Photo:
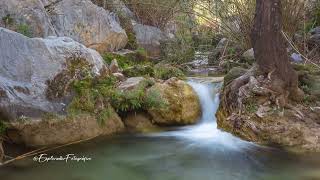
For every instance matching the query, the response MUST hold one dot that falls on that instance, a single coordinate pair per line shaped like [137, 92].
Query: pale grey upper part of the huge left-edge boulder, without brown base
[27, 67]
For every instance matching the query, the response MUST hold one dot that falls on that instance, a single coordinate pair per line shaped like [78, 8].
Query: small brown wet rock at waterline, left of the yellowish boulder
[140, 122]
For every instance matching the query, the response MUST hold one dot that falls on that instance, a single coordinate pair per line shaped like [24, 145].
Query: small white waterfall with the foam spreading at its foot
[206, 132]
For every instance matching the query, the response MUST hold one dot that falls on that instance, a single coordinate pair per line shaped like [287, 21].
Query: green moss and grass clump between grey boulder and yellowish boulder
[99, 96]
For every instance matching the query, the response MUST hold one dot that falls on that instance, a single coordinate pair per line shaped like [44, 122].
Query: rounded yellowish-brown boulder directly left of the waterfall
[183, 105]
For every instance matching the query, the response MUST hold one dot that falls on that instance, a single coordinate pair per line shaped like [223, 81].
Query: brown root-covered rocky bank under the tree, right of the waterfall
[250, 110]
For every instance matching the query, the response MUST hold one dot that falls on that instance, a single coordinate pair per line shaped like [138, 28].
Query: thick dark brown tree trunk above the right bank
[270, 49]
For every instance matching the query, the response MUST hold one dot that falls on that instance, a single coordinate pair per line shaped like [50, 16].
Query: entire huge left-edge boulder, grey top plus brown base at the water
[35, 80]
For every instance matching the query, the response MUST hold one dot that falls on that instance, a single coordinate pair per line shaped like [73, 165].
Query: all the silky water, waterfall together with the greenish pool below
[198, 152]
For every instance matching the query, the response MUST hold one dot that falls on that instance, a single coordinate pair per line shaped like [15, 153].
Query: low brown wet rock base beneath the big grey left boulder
[57, 131]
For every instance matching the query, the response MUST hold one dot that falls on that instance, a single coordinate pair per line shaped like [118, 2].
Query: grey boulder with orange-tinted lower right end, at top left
[89, 24]
